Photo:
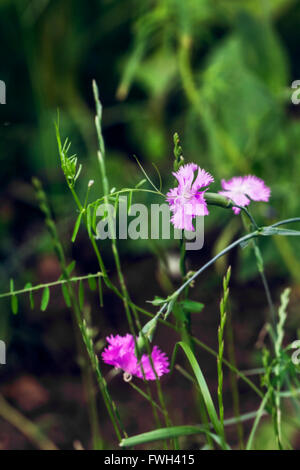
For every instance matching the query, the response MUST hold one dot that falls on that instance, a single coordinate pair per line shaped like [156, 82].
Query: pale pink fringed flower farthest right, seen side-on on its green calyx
[241, 189]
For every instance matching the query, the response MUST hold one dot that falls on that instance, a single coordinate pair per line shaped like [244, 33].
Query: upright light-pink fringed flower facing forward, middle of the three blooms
[186, 201]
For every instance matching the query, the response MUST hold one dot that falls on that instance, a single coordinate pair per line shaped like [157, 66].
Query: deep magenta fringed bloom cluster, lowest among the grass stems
[120, 353]
